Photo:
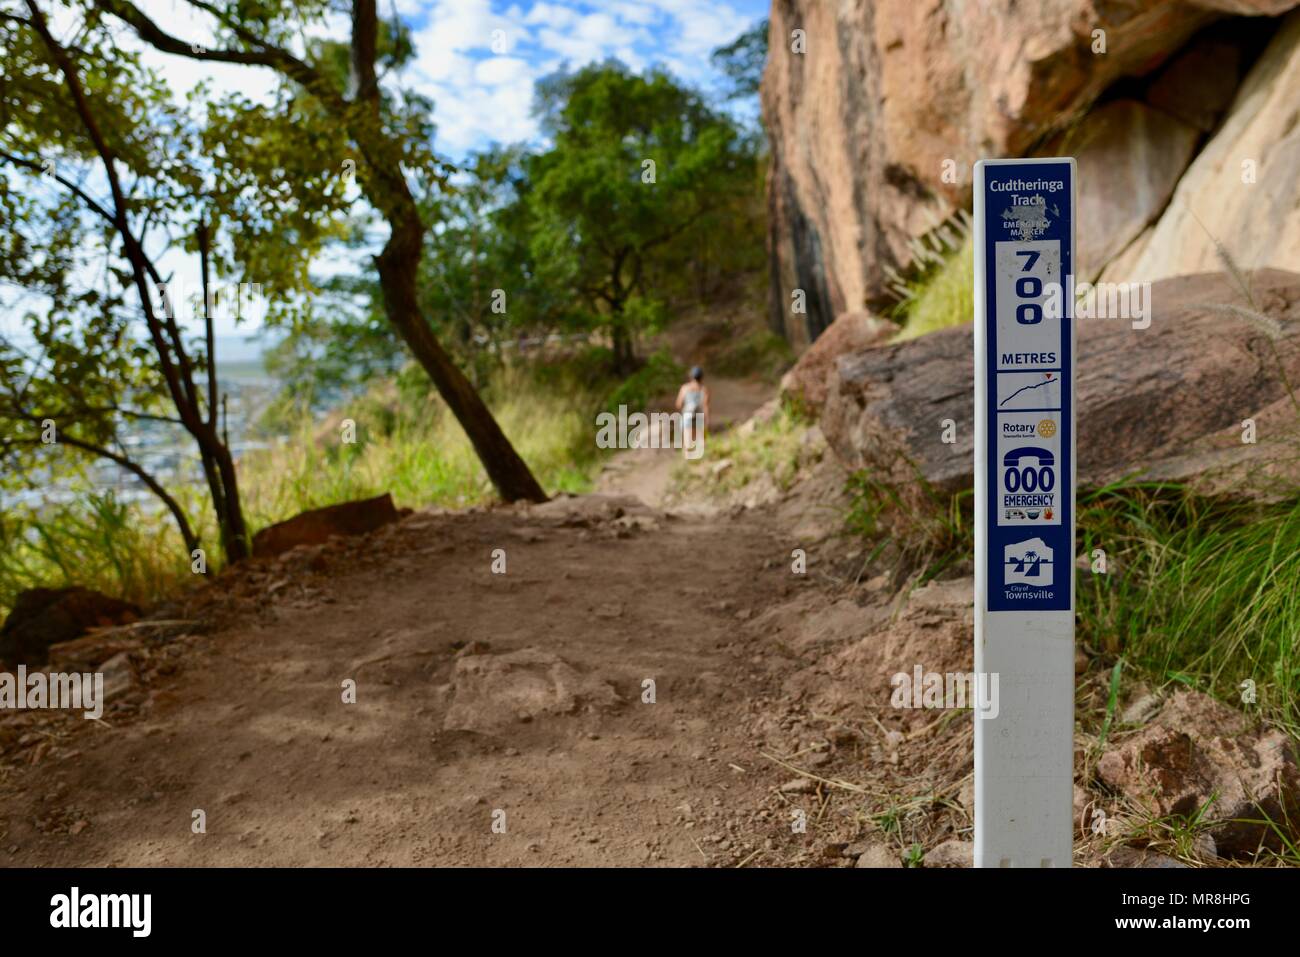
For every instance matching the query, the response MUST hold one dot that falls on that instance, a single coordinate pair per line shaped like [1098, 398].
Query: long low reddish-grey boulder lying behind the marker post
[1165, 402]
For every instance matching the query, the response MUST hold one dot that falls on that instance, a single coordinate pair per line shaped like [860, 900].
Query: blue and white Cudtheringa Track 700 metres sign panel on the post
[1029, 460]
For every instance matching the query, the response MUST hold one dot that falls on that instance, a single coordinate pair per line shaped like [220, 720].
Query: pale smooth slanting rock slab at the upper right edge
[1245, 185]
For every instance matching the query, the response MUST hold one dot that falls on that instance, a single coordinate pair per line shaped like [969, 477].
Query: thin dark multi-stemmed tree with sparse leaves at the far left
[110, 354]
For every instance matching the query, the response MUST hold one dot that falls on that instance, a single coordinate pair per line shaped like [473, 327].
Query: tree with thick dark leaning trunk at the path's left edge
[362, 131]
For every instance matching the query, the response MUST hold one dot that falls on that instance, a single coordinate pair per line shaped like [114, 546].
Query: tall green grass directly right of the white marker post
[1199, 594]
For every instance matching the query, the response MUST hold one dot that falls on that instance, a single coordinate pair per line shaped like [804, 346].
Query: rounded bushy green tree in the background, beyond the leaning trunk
[639, 166]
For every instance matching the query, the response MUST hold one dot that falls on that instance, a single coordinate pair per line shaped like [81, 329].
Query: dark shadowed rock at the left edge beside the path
[45, 617]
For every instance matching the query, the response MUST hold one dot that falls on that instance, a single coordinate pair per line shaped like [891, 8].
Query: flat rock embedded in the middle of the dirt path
[492, 694]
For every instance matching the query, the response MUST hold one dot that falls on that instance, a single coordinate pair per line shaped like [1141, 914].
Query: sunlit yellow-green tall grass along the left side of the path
[408, 444]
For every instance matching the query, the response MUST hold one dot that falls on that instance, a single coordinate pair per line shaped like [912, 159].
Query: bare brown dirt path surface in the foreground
[252, 728]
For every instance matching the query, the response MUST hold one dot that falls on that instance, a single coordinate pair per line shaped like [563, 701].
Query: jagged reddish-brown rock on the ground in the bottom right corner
[1201, 751]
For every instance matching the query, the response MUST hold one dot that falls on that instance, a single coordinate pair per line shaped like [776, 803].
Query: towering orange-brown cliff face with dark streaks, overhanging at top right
[878, 111]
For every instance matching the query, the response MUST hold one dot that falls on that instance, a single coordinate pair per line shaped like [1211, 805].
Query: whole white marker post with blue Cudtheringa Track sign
[1025, 469]
